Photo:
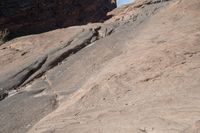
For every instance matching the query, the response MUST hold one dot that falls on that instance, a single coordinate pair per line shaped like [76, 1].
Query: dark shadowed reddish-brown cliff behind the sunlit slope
[22, 17]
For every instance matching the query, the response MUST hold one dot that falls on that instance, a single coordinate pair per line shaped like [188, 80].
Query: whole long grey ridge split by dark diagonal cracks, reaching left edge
[47, 62]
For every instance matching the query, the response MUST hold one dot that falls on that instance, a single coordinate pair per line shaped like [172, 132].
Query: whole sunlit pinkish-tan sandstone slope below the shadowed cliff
[138, 72]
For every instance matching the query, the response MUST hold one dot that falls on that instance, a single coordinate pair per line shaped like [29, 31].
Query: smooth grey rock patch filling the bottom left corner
[23, 110]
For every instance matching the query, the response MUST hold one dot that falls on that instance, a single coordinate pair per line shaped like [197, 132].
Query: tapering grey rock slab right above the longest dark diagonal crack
[54, 59]
